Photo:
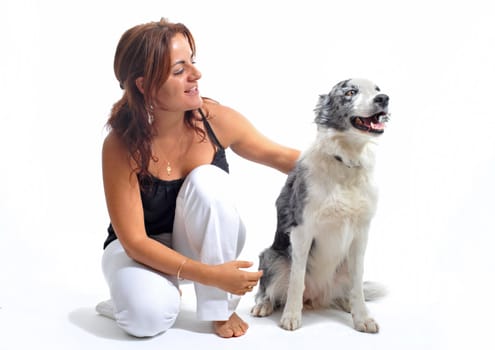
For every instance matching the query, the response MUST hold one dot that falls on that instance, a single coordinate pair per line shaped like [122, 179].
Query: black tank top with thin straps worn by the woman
[159, 196]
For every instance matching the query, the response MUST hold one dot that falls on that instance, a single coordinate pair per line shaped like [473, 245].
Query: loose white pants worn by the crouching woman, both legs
[207, 228]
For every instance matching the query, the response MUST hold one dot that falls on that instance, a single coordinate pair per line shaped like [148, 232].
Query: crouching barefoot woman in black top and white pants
[167, 190]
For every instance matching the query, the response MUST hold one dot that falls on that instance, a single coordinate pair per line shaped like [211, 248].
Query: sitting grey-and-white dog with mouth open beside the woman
[324, 212]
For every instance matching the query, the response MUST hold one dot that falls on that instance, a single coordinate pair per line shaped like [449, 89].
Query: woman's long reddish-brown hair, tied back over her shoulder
[143, 51]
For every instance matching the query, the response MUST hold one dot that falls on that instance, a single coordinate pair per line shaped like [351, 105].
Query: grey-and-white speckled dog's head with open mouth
[354, 104]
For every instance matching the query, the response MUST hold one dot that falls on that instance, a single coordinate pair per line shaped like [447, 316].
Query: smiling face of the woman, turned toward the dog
[180, 90]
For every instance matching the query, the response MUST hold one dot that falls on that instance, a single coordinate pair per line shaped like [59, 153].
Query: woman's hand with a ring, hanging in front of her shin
[232, 279]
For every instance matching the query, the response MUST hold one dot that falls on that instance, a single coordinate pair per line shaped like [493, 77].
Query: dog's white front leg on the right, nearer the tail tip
[362, 321]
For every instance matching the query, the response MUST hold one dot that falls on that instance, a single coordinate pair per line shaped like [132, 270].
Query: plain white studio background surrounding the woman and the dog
[431, 241]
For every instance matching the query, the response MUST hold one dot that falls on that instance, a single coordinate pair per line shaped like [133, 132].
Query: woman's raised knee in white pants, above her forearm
[207, 224]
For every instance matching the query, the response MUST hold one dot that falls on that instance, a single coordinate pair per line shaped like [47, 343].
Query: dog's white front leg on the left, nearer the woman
[292, 315]
